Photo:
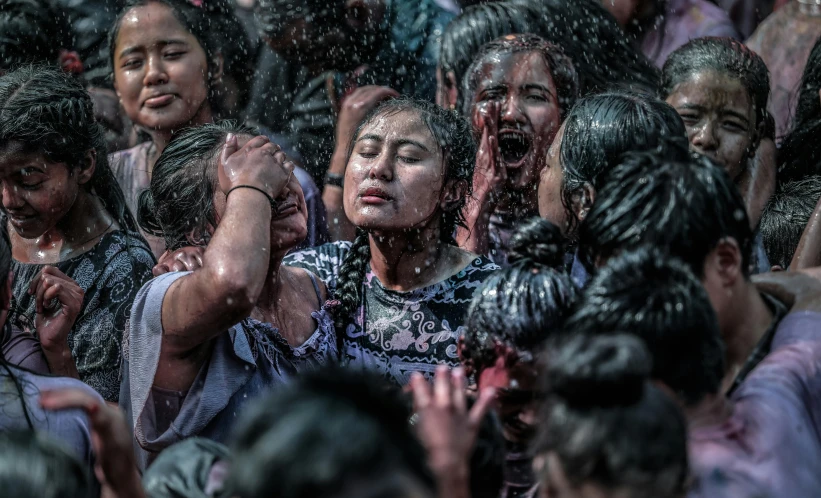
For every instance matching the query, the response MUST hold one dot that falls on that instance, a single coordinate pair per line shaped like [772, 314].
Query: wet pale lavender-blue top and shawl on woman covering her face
[246, 361]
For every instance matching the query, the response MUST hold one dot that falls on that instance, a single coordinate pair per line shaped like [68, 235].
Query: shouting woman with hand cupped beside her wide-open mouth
[517, 92]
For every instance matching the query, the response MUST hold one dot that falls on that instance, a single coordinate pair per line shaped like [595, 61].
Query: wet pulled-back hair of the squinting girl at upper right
[724, 56]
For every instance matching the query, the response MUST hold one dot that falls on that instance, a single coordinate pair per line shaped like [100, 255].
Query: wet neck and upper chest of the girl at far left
[76, 232]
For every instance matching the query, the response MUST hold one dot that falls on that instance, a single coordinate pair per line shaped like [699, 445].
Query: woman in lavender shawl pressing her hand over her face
[203, 343]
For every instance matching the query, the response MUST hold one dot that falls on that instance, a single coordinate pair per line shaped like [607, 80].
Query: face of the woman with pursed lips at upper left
[160, 70]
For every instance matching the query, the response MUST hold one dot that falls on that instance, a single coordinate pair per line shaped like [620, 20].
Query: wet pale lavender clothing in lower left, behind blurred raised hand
[67, 427]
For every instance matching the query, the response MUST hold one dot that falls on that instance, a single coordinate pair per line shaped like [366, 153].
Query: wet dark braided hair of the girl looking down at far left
[50, 112]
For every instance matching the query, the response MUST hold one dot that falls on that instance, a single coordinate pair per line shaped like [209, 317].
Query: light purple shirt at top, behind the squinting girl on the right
[683, 21]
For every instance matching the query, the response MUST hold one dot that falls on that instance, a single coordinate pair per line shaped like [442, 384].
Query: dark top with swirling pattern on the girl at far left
[110, 274]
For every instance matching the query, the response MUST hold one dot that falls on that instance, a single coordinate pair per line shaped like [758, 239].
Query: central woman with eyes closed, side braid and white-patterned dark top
[403, 285]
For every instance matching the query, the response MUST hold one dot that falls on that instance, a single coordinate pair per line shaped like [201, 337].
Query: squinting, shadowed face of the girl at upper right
[719, 116]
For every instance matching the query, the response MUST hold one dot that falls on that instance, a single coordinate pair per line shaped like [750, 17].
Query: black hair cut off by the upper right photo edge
[800, 152]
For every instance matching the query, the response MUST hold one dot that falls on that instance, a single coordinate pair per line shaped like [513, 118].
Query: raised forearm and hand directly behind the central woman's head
[355, 107]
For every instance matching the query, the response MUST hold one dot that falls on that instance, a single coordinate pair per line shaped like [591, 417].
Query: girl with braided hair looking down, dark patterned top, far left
[72, 236]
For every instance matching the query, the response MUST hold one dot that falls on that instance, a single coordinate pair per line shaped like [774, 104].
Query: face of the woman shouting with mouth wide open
[529, 115]
